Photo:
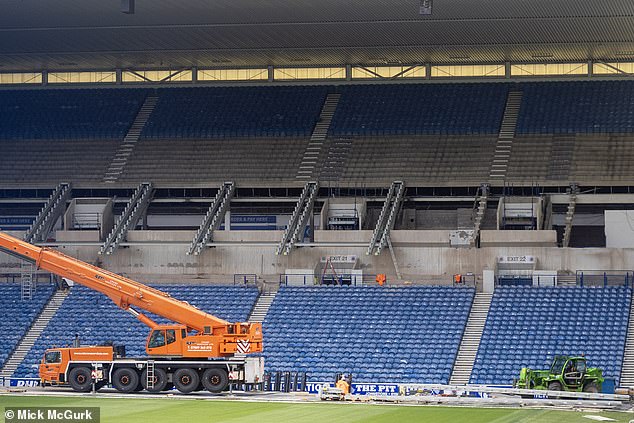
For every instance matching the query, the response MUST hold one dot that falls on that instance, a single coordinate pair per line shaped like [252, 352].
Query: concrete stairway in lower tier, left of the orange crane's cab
[38, 326]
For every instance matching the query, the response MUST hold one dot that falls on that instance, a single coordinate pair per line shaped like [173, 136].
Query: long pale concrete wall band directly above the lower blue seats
[416, 263]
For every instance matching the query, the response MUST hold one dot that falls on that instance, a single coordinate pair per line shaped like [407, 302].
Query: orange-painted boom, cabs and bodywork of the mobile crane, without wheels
[213, 336]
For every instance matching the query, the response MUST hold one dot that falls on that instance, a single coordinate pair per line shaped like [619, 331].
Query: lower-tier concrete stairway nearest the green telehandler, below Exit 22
[461, 372]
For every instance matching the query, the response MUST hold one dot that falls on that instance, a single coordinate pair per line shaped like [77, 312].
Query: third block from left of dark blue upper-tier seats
[415, 109]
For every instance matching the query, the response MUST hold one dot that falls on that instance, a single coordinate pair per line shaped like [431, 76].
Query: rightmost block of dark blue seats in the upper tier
[577, 107]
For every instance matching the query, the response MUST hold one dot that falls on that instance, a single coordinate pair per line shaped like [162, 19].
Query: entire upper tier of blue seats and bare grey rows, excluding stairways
[438, 133]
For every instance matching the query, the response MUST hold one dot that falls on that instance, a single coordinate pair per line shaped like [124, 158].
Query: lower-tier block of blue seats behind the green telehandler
[526, 327]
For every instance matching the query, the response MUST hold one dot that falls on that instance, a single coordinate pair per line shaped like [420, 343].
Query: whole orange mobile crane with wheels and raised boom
[198, 352]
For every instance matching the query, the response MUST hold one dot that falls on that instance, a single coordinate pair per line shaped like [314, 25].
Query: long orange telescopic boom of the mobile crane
[122, 291]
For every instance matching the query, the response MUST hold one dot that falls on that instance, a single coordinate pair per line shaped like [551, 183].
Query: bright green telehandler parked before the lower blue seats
[565, 374]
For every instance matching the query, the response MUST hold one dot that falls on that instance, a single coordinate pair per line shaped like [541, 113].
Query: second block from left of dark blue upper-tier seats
[235, 112]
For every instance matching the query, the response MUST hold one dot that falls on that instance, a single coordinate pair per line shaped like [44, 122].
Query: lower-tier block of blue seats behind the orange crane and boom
[96, 319]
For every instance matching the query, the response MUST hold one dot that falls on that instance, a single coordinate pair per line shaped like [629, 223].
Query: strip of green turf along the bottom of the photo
[174, 410]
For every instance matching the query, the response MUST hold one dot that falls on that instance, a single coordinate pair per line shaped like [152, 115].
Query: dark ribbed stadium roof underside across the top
[95, 34]
